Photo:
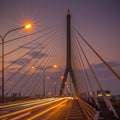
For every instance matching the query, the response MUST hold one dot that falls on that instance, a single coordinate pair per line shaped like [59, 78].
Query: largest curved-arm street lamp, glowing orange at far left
[26, 26]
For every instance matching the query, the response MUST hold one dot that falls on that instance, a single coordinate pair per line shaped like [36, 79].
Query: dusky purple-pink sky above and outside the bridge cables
[96, 20]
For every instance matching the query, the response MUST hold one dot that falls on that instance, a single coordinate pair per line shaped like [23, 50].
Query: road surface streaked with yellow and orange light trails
[41, 109]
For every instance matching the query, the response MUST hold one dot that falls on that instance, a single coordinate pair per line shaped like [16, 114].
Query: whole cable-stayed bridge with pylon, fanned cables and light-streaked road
[33, 87]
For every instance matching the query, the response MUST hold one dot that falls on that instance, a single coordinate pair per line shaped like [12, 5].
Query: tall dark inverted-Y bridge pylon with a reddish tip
[68, 58]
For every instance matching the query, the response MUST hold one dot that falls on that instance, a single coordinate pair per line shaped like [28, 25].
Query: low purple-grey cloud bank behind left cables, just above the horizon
[28, 77]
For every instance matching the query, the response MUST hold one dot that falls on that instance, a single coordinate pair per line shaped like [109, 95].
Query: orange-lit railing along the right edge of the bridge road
[88, 110]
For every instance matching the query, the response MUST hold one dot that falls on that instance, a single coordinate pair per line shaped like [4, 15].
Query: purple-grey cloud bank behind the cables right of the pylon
[102, 72]
